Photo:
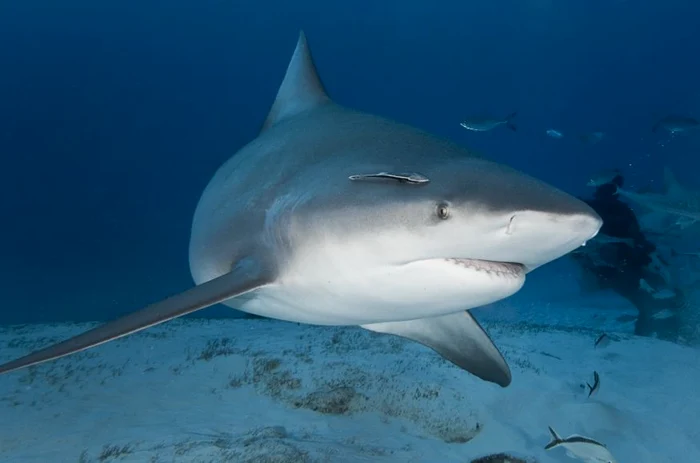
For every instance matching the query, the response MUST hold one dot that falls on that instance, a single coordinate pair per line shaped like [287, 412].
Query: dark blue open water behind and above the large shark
[115, 114]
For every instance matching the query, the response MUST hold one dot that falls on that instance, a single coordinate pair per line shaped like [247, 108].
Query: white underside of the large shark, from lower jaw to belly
[388, 293]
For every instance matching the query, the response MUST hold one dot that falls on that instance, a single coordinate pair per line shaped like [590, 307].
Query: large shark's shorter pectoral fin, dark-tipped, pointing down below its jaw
[458, 338]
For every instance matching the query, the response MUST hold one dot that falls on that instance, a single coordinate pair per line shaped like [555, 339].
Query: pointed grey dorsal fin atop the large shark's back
[301, 88]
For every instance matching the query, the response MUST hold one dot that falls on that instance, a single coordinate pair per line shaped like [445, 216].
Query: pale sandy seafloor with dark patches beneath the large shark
[268, 391]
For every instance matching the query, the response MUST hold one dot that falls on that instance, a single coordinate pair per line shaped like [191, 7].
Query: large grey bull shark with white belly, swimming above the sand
[332, 216]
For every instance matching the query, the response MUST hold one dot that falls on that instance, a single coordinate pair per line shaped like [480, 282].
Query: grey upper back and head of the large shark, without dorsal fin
[298, 169]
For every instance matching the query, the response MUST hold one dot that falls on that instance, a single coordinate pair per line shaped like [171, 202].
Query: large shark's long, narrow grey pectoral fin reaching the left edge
[241, 280]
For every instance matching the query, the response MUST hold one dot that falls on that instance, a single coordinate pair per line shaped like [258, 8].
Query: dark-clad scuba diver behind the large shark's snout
[620, 258]
